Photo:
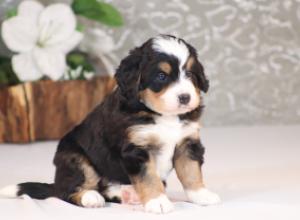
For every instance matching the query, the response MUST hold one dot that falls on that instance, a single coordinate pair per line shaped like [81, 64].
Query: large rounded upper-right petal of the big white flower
[56, 24]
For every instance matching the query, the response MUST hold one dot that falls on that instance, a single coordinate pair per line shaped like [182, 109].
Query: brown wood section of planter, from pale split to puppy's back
[58, 107]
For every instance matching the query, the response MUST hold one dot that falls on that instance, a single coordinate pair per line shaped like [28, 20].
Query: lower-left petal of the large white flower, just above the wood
[25, 67]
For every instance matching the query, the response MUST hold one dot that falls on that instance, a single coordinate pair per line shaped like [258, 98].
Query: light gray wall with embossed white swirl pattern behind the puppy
[250, 49]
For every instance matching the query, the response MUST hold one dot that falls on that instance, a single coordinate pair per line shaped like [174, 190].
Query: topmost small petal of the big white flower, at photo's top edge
[30, 9]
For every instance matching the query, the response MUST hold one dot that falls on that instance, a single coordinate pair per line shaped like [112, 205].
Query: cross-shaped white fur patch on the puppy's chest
[170, 131]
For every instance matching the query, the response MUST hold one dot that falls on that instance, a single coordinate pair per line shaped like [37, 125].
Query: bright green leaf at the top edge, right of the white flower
[98, 11]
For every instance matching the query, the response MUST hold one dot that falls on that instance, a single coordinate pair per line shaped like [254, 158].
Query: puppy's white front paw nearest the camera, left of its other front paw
[159, 205]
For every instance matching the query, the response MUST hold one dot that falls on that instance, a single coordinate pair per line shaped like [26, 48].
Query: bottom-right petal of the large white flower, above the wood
[51, 63]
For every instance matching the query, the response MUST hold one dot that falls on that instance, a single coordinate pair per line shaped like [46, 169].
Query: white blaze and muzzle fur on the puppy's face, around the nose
[183, 85]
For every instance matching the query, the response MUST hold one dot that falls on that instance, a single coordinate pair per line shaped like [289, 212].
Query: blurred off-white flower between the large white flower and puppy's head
[98, 43]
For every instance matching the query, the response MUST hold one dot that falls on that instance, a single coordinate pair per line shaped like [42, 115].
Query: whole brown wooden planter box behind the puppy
[46, 110]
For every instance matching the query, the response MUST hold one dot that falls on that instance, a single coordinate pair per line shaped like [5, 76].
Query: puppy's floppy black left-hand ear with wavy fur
[128, 74]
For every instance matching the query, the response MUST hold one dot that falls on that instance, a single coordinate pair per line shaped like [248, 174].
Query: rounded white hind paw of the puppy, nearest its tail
[92, 199]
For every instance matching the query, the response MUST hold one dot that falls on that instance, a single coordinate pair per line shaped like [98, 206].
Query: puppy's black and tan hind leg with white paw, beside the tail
[76, 181]
